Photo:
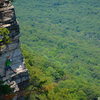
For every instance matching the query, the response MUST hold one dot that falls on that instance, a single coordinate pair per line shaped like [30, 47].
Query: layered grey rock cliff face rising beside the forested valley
[8, 20]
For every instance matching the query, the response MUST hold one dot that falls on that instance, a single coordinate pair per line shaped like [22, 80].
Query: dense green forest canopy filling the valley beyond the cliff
[61, 44]
